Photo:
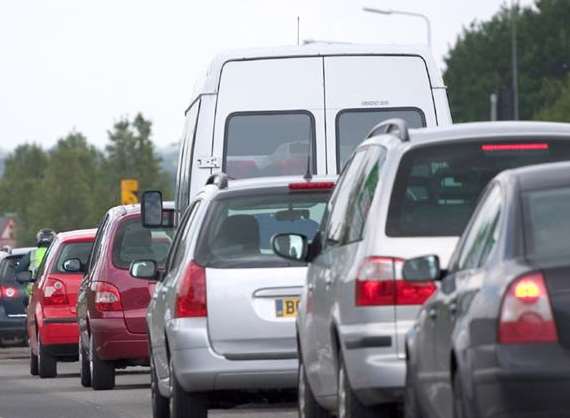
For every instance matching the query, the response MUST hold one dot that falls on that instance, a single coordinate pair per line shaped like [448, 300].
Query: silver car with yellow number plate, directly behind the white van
[222, 318]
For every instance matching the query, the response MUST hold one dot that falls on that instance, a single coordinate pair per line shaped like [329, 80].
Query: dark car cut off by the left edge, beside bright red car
[13, 298]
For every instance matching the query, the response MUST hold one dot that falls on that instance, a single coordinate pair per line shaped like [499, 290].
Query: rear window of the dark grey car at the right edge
[548, 225]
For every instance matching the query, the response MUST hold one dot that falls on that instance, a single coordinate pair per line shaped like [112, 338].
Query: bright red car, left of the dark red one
[51, 317]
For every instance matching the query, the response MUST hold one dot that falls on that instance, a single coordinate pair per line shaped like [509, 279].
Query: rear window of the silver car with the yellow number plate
[239, 229]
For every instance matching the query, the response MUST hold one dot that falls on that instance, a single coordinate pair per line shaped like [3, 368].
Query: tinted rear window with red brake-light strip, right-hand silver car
[437, 186]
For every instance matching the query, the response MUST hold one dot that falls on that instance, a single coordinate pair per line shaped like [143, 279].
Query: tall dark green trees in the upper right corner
[479, 63]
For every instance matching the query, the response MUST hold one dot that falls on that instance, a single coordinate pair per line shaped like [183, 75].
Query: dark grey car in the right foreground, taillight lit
[494, 340]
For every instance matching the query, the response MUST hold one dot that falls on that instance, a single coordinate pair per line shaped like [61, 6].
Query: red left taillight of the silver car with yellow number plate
[191, 294]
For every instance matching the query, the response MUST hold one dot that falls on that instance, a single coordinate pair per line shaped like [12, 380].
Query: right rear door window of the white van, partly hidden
[353, 125]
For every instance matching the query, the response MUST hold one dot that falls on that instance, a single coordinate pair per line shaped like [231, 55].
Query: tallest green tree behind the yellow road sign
[131, 154]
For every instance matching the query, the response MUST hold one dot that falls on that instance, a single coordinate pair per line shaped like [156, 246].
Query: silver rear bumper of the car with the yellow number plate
[198, 368]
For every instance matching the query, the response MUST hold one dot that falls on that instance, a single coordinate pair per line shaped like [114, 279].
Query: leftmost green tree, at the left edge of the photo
[20, 185]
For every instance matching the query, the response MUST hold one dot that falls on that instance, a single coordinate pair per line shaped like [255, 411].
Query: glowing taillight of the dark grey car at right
[526, 313]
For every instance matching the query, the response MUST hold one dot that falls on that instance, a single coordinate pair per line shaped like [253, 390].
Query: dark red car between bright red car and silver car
[112, 305]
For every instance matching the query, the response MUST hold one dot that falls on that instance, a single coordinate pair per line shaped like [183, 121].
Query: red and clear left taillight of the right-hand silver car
[379, 283]
